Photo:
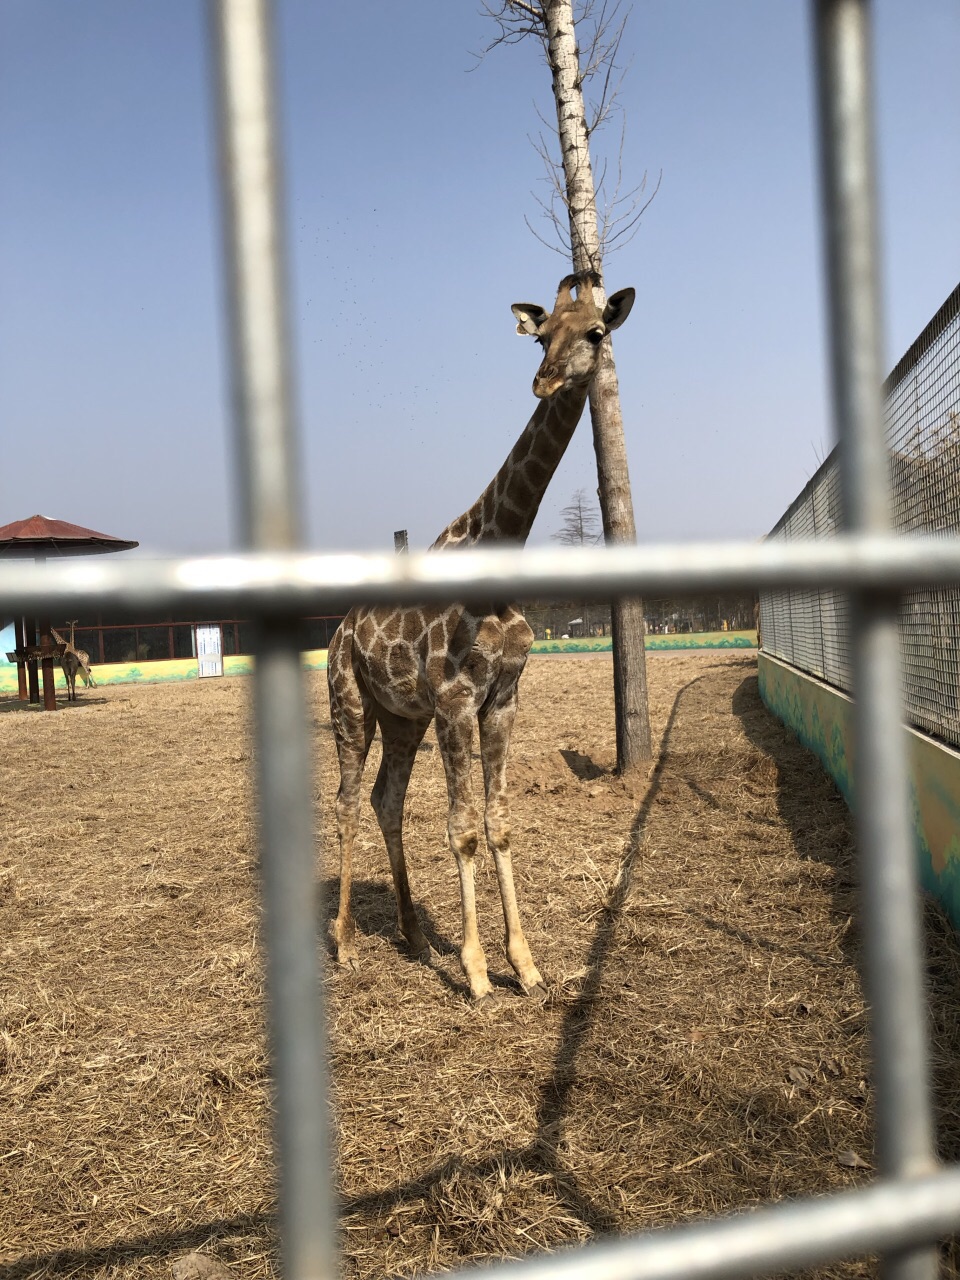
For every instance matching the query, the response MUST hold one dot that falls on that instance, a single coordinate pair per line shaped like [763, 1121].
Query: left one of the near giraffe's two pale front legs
[455, 737]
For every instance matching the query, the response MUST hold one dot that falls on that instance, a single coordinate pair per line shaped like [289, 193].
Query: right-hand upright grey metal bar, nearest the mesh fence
[893, 956]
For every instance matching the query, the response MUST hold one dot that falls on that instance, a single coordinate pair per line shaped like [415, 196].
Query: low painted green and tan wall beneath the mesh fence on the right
[822, 719]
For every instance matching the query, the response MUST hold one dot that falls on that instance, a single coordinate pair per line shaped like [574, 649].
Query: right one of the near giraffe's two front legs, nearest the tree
[496, 726]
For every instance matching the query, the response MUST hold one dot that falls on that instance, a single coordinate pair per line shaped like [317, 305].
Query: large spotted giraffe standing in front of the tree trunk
[459, 668]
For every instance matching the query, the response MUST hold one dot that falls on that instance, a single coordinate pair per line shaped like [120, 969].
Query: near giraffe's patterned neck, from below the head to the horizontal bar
[506, 510]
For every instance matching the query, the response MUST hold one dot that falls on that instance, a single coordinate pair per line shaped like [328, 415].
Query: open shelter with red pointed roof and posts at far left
[43, 540]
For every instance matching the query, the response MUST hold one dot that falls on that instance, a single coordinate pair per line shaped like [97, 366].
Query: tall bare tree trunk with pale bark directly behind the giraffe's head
[616, 504]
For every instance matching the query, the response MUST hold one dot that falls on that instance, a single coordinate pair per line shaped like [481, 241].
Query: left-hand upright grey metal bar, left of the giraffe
[271, 518]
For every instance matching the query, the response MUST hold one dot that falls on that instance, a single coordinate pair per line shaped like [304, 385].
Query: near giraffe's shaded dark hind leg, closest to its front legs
[401, 739]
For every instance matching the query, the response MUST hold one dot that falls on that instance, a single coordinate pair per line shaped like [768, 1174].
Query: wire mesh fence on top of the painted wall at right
[811, 629]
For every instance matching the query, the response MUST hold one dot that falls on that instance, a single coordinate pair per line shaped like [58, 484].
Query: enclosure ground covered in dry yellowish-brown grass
[702, 1046]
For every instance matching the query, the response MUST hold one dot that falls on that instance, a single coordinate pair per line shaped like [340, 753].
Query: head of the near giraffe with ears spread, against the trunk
[573, 333]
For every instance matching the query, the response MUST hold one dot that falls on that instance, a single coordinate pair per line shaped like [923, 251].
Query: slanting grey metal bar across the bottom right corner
[778, 1238]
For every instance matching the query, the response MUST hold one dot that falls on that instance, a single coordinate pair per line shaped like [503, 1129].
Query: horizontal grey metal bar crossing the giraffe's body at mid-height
[294, 584]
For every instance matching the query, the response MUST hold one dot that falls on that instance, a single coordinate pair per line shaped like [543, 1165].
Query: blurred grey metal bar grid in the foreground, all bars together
[913, 1204]
